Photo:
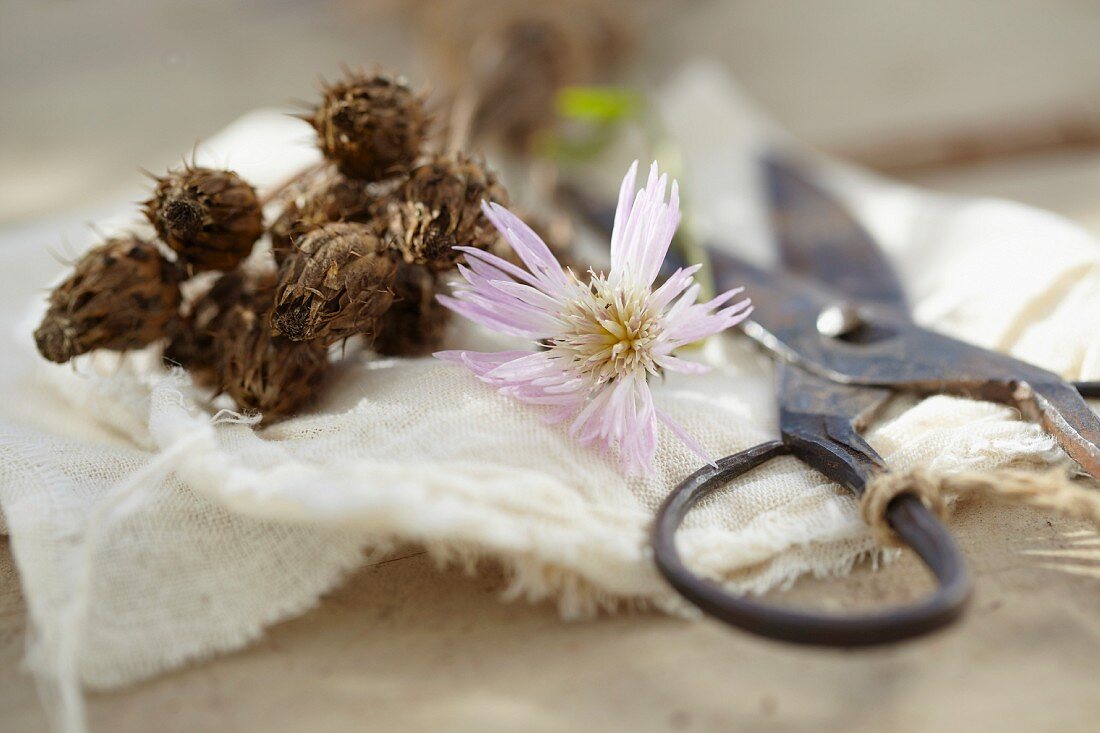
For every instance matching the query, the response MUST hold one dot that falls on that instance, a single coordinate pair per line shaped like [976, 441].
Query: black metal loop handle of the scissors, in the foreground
[914, 523]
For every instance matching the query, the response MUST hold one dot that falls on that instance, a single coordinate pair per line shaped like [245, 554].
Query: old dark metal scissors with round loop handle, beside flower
[835, 319]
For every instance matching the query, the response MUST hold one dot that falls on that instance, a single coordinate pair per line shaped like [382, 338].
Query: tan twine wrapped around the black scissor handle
[1050, 491]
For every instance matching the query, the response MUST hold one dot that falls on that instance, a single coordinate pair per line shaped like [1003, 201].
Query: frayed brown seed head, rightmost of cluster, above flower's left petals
[439, 207]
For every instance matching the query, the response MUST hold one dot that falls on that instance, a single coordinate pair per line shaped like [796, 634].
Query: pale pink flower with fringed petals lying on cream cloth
[601, 340]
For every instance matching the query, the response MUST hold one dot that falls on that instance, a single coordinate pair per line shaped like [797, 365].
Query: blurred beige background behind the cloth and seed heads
[977, 96]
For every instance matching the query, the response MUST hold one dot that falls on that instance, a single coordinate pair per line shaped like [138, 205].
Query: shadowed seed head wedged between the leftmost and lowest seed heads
[192, 346]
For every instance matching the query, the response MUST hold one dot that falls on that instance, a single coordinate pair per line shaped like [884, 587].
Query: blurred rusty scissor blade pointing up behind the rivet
[818, 238]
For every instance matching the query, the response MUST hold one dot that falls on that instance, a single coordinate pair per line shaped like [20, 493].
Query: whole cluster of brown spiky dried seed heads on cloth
[361, 246]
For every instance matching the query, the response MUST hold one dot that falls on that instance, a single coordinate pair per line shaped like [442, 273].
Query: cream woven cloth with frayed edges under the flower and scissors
[151, 529]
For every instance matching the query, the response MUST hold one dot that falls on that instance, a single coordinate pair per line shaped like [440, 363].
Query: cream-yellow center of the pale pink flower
[611, 332]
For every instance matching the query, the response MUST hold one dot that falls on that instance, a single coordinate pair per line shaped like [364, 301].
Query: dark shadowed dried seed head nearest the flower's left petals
[415, 324]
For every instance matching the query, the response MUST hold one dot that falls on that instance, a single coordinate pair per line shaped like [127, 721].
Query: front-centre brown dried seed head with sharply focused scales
[337, 285]
